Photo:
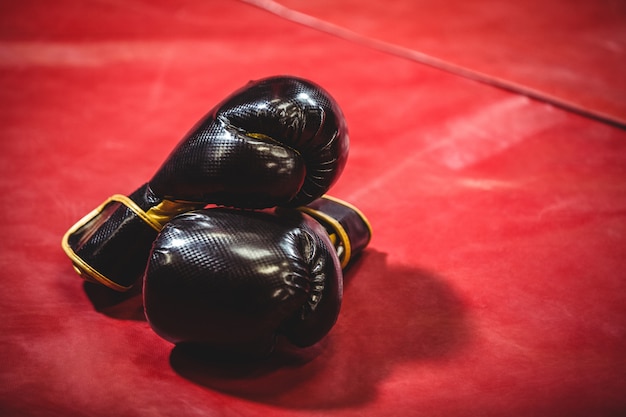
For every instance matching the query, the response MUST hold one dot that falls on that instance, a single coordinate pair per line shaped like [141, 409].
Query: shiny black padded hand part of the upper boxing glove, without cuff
[277, 141]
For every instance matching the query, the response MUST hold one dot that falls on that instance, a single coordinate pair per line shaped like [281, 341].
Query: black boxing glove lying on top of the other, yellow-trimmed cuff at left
[280, 141]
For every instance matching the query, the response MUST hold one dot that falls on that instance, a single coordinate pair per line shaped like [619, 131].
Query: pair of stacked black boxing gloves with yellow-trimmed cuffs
[229, 279]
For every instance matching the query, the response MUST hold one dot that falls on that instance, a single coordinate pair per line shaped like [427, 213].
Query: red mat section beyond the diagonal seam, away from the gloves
[570, 53]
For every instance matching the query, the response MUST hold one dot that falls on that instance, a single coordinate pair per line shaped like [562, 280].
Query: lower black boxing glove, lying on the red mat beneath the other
[230, 281]
